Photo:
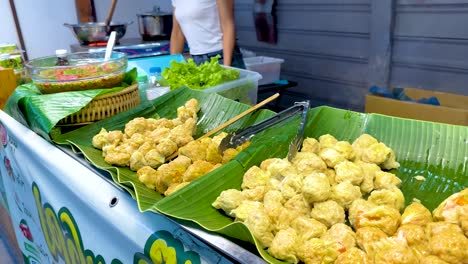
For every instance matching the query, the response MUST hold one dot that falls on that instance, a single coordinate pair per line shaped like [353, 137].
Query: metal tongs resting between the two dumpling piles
[241, 136]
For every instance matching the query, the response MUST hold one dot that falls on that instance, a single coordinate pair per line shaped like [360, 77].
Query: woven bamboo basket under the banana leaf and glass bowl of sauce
[104, 106]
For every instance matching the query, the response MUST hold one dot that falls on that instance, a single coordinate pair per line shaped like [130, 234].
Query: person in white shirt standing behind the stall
[208, 26]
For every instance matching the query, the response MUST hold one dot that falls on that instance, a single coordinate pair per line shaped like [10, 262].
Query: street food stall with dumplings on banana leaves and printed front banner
[94, 170]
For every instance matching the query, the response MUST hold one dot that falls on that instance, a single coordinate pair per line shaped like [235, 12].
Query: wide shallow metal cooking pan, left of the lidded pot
[92, 32]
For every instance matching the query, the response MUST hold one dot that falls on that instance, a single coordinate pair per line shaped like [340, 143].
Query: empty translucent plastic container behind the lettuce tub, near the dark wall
[268, 67]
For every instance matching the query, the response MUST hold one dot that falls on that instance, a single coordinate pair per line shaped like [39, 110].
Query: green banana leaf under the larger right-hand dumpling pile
[436, 151]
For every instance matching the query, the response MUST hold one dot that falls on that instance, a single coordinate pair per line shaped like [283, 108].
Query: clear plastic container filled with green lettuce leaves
[243, 90]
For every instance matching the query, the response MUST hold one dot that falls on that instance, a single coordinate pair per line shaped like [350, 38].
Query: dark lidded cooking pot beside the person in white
[155, 24]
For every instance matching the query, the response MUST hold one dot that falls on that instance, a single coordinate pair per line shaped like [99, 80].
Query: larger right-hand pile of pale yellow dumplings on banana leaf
[333, 203]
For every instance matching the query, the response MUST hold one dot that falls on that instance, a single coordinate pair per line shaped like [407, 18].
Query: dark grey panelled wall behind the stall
[337, 49]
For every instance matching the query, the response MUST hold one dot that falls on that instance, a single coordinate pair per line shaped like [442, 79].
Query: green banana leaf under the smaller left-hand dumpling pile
[215, 110]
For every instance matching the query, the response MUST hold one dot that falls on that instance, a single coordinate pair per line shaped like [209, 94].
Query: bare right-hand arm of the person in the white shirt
[226, 17]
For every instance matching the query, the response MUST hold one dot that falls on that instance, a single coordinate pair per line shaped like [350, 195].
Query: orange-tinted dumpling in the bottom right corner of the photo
[447, 241]
